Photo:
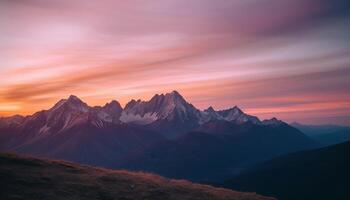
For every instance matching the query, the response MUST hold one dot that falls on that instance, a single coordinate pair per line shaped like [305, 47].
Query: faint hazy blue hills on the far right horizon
[325, 134]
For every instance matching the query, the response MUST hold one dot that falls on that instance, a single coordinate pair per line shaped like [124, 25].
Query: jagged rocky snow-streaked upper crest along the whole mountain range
[168, 112]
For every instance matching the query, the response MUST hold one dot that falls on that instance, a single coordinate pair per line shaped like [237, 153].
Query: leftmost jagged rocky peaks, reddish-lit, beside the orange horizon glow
[64, 115]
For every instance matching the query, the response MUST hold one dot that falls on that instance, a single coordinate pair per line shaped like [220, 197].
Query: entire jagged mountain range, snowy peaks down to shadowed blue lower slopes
[166, 135]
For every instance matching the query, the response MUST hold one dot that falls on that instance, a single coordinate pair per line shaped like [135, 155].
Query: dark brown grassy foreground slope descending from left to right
[28, 178]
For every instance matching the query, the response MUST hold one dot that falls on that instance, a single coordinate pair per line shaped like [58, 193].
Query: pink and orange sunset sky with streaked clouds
[273, 58]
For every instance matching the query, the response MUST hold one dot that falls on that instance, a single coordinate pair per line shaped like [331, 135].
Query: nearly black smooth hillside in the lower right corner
[314, 175]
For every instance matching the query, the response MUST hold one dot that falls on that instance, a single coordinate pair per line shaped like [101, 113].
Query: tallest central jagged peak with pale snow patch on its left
[169, 114]
